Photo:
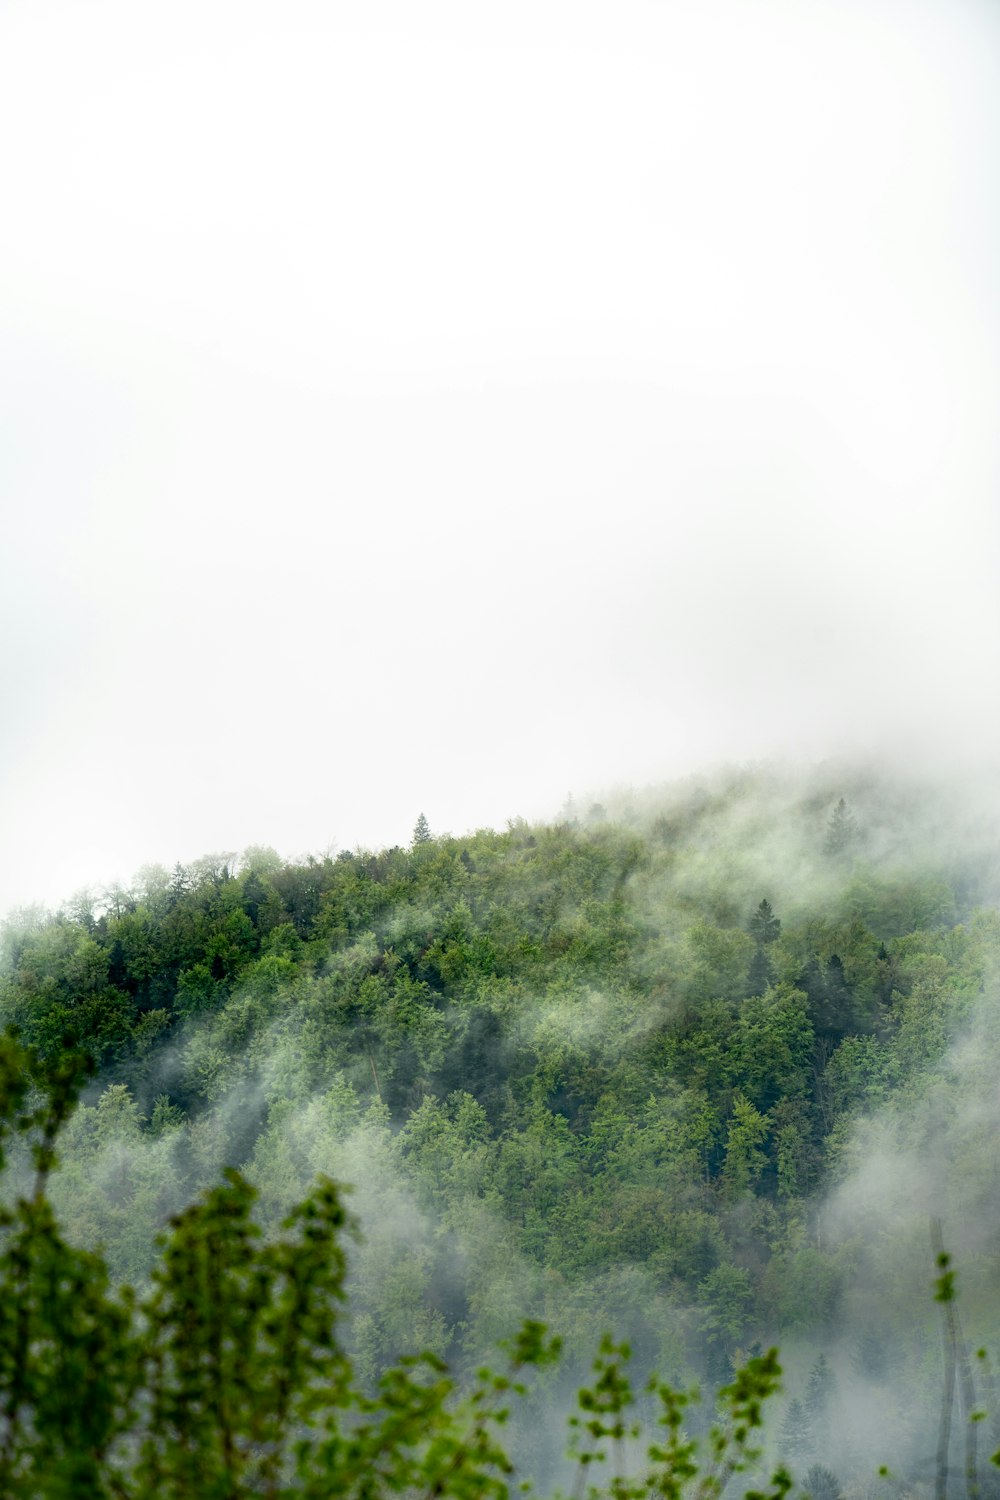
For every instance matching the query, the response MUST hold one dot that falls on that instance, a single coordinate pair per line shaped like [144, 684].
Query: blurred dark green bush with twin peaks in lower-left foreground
[239, 1342]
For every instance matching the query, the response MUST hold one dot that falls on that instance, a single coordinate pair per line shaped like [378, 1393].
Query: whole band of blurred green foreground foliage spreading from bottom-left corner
[230, 1379]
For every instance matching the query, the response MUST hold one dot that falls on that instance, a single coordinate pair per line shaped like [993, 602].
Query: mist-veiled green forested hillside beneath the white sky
[699, 1069]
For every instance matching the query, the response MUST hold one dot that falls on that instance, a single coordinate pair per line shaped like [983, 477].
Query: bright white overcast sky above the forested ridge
[424, 406]
